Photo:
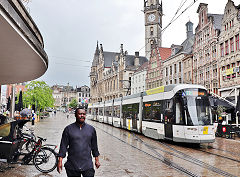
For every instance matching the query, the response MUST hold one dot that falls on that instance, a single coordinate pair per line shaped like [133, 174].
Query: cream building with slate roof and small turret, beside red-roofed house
[181, 56]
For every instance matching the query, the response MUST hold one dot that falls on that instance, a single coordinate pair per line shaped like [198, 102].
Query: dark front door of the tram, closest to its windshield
[168, 120]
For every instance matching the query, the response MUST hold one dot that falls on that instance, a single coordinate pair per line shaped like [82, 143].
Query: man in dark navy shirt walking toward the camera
[79, 139]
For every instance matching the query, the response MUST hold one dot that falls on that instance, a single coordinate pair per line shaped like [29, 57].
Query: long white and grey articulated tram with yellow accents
[181, 113]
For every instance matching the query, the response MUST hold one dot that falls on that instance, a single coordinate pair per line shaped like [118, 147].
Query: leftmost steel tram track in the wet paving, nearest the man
[159, 157]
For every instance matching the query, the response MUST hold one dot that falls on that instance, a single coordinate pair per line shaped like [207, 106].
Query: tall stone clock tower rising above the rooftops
[153, 25]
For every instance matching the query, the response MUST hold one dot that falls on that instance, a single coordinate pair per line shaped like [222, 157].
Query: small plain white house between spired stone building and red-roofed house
[138, 79]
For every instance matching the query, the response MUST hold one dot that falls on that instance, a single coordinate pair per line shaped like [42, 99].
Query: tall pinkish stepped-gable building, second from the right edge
[205, 65]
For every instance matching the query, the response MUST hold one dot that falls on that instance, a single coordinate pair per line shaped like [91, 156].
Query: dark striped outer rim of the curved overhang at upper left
[18, 15]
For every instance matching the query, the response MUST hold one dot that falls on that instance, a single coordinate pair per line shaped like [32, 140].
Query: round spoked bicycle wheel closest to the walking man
[45, 160]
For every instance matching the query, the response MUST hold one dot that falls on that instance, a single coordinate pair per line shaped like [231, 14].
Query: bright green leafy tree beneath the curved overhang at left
[39, 94]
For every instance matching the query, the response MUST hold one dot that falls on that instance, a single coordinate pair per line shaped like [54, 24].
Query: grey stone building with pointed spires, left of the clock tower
[111, 73]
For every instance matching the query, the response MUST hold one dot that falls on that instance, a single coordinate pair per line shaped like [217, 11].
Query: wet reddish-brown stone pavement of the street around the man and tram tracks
[126, 154]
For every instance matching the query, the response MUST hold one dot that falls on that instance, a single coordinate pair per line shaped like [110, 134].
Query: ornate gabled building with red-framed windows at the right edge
[229, 51]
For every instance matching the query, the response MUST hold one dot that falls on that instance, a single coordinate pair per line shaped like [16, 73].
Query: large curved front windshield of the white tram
[198, 110]
